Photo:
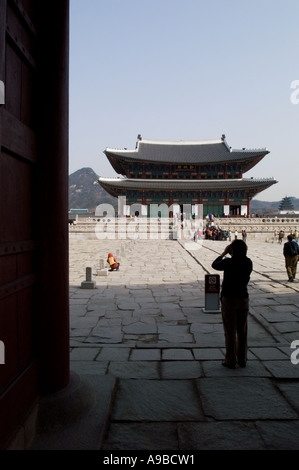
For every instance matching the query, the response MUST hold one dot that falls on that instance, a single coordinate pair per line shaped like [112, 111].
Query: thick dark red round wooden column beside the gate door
[52, 309]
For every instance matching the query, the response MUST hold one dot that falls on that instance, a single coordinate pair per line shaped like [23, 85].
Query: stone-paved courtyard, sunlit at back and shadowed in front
[150, 356]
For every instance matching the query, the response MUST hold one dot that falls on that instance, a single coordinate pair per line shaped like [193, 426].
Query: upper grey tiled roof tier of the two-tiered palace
[188, 152]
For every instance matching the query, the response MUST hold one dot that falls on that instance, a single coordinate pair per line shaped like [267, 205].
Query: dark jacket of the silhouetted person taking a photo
[235, 277]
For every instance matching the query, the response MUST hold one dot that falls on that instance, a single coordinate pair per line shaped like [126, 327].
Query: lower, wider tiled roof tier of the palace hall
[173, 184]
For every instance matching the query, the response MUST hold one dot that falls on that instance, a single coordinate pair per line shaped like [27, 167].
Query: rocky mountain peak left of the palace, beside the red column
[85, 192]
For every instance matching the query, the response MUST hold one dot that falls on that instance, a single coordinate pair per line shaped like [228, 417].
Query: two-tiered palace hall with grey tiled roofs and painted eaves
[178, 173]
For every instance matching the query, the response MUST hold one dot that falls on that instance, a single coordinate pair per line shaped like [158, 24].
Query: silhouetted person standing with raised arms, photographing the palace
[234, 301]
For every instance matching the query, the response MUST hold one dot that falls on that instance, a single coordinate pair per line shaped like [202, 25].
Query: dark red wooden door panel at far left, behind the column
[18, 240]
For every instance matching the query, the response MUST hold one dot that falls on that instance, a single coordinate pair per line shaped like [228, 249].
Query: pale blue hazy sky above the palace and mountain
[187, 70]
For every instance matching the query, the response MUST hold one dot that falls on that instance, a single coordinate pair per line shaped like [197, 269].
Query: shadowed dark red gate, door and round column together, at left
[34, 305]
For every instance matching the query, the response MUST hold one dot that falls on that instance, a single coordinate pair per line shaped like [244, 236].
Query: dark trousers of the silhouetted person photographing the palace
[234, 317]
